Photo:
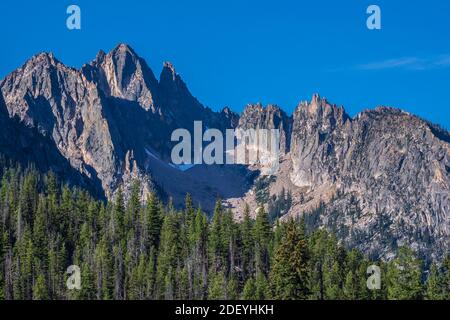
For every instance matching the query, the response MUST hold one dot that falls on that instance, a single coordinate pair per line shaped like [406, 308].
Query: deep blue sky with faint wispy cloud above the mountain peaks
[234, 52]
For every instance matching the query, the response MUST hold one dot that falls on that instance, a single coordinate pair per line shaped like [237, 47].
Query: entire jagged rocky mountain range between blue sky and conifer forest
[379, 180]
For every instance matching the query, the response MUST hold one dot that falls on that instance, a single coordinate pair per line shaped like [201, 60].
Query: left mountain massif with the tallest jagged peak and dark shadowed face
[112, 118]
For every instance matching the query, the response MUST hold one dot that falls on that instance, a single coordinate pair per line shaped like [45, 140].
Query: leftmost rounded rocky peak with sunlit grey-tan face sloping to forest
[63, 105]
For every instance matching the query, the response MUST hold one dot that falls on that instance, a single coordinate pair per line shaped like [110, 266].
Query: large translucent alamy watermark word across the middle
[239, 146]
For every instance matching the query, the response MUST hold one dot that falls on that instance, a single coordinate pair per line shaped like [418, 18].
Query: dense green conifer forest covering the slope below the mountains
[152, 251]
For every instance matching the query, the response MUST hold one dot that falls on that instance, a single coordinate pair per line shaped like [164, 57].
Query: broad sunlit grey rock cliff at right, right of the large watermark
[387, 173]
